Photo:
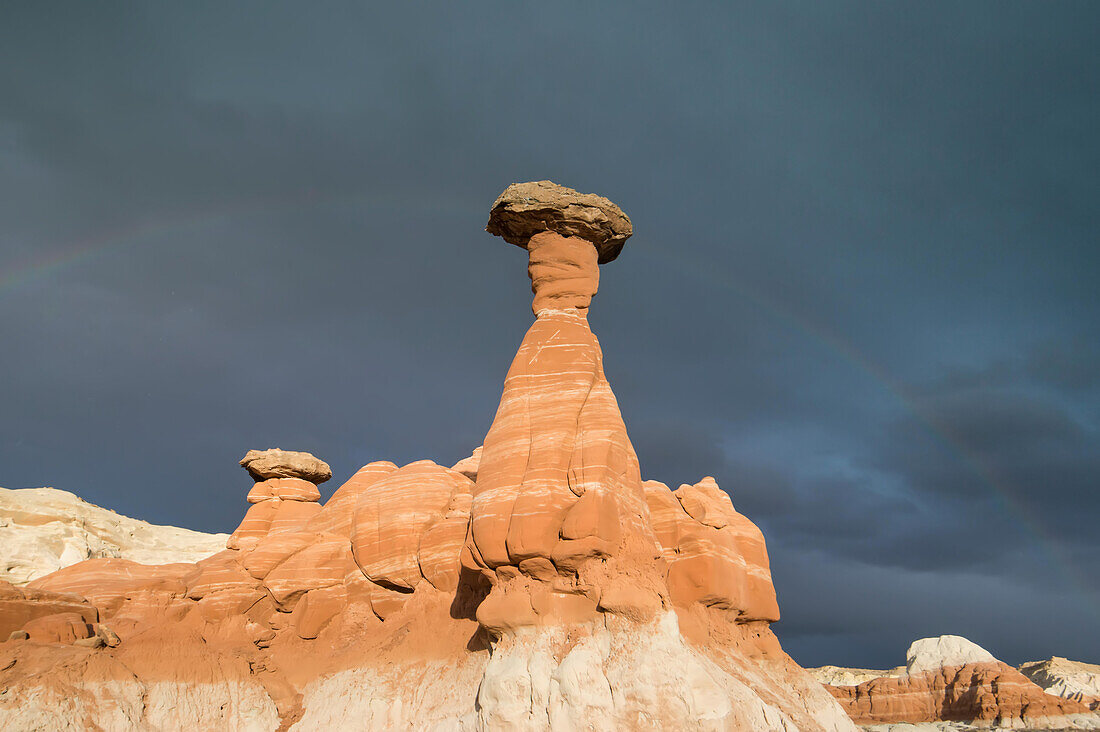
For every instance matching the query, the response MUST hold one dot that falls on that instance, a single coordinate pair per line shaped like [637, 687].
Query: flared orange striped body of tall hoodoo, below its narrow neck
[559, 510]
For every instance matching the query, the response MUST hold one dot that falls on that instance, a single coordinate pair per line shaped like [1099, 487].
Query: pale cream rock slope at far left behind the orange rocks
[43, 530]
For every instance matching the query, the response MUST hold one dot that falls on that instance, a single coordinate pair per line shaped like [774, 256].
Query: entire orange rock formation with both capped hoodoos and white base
[540, 584]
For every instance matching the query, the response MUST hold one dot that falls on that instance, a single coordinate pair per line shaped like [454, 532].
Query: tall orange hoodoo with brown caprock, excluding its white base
[559, 510]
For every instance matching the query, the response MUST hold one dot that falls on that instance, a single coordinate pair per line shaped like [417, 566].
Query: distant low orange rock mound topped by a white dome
[950, 680]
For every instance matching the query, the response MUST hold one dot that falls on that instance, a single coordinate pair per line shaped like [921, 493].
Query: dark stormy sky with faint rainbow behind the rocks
[863, 291]
